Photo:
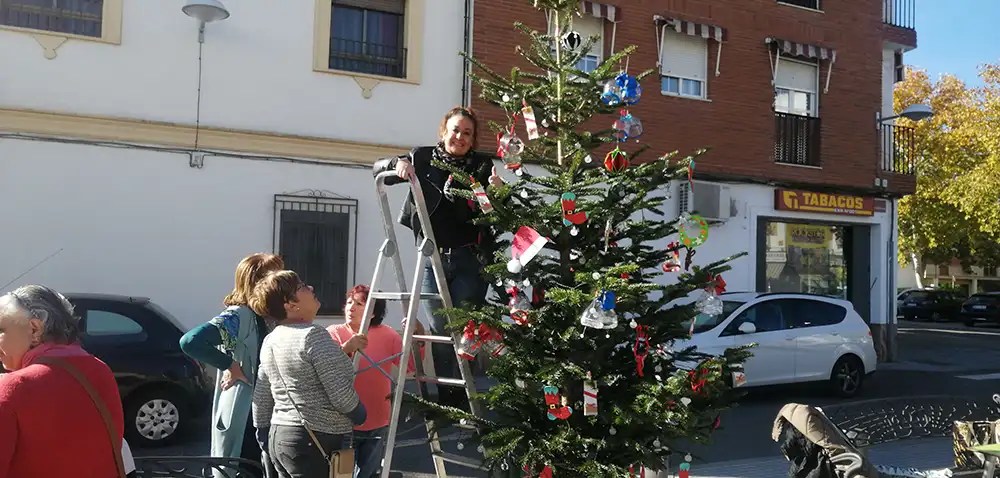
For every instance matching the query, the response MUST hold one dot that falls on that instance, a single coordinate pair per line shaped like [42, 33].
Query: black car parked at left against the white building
[162, 389]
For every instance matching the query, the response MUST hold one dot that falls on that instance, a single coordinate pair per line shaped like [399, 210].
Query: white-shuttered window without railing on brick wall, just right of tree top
[683, 65]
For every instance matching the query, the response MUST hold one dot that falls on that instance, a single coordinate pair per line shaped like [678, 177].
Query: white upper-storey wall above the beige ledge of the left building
[257, 74]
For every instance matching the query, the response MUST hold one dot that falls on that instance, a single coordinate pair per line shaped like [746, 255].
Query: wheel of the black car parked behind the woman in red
[154, 418]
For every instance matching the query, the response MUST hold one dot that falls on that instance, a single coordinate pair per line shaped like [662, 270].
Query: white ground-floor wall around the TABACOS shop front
[739, 234]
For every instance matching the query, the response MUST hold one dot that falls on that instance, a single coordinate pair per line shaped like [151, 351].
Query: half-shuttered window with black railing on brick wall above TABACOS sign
[797, 133]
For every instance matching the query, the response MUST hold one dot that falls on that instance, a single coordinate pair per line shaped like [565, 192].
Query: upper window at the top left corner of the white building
[93, 19]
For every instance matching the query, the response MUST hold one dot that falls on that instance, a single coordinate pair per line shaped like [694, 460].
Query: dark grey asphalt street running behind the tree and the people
[934, 359]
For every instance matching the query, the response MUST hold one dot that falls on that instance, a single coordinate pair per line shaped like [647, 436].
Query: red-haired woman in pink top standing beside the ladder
[372, 386]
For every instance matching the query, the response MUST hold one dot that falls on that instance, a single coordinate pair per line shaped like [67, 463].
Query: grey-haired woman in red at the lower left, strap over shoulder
[60, 412]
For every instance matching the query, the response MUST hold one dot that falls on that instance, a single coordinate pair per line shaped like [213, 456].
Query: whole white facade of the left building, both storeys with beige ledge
[134, 217]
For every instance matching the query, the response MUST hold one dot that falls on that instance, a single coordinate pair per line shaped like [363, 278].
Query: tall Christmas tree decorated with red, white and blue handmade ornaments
[590, 381]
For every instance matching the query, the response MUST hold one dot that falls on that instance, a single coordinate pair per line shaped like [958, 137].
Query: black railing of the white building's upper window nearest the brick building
[370, 58]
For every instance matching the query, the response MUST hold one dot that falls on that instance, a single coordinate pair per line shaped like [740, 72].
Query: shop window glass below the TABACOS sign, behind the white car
[806, 258]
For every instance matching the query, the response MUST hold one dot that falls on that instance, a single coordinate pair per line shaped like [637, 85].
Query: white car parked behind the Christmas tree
[799, 337]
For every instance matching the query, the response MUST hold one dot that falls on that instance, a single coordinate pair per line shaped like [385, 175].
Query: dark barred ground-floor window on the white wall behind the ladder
[316, 234]
